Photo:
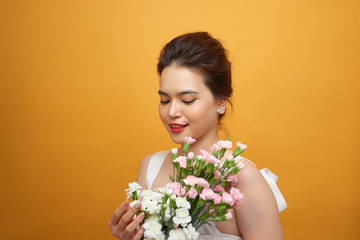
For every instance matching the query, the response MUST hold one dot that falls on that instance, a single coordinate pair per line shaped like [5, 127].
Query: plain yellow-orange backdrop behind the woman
[78, 107]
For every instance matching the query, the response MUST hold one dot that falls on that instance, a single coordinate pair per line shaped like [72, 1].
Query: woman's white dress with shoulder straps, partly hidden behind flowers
[210, 232]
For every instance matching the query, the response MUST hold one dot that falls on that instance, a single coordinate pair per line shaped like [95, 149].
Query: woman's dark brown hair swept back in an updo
[202, 52]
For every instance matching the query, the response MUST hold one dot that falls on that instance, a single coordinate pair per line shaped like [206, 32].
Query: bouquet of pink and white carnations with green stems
[196, 194]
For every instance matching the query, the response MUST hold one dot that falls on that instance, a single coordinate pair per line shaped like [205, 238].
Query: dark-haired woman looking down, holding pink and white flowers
[195, 89]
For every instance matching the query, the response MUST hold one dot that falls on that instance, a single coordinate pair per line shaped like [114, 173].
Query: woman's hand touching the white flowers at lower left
[122, 224]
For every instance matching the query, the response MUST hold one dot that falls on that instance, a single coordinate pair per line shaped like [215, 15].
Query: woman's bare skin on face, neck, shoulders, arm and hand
[185, 99]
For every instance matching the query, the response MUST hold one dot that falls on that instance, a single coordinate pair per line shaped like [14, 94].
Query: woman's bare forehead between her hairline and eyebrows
[176, 78]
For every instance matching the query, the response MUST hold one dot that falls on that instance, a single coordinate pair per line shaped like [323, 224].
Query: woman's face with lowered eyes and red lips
[187, 106]
